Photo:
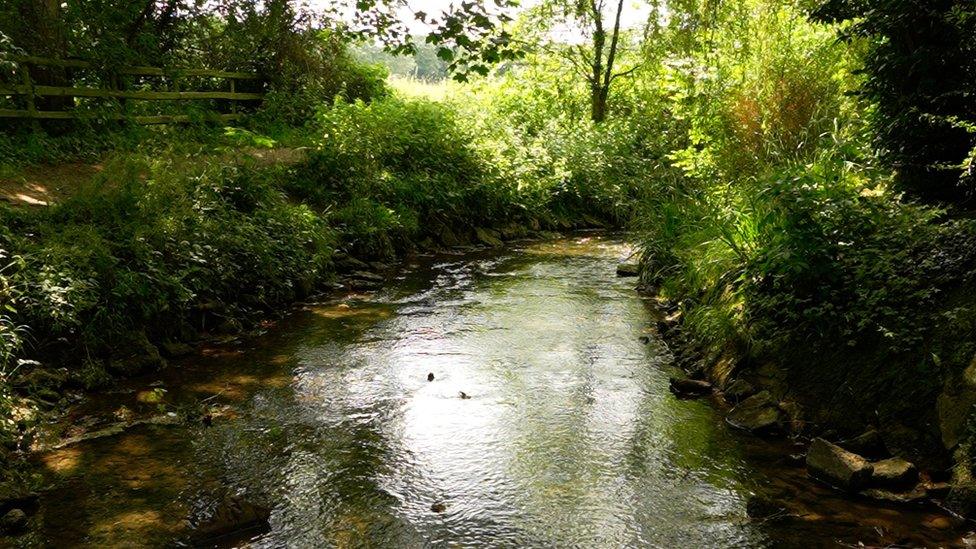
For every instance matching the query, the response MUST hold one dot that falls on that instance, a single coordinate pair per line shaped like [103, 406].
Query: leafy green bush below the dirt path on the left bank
[132, 252]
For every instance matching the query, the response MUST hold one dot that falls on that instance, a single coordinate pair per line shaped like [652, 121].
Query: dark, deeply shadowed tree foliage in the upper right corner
[921, 69]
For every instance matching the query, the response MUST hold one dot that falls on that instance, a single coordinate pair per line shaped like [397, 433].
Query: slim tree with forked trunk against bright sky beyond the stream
[596, 58]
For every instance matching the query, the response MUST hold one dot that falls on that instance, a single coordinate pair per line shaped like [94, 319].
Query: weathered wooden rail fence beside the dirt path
[30, 91]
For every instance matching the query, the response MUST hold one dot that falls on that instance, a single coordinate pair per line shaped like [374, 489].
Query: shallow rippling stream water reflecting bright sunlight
[568, 438]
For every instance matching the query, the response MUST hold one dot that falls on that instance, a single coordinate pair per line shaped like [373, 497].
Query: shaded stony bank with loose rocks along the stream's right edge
[867, 459]
